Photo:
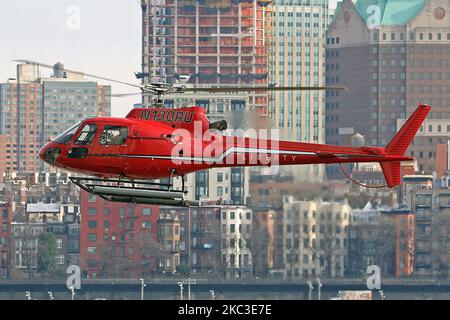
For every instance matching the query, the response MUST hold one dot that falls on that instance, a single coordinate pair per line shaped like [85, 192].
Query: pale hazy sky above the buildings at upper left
[94, 36]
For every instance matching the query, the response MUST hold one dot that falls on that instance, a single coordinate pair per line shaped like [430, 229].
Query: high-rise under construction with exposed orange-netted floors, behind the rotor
[209, 43]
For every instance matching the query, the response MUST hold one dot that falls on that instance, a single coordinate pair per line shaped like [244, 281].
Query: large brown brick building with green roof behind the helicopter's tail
[390, 63]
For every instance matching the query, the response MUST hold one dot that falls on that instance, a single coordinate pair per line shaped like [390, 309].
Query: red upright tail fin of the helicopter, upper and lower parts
[400, 143]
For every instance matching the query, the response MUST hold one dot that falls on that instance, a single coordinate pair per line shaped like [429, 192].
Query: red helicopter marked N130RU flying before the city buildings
[123, 154]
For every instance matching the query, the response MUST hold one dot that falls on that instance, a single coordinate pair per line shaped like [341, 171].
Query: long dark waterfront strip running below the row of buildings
[169, 290]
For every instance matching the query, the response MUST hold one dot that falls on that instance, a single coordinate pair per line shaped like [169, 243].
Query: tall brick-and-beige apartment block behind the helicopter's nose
[48, 106]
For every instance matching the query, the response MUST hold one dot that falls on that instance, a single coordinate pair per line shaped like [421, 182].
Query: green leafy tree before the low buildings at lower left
[46, 258]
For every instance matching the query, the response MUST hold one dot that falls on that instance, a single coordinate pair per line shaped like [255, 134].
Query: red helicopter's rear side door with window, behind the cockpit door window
[113, 148]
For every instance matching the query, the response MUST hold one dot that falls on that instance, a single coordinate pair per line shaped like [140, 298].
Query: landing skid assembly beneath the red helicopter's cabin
[134, 191]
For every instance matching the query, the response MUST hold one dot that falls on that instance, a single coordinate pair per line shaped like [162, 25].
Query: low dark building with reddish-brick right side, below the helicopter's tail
[383, 237]
